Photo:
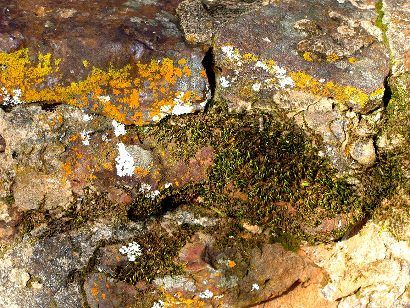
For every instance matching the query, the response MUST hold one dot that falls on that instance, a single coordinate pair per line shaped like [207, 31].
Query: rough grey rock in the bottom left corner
[42, 272]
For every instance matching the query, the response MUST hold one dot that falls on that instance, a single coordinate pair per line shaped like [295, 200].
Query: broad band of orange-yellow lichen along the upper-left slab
[113, 92]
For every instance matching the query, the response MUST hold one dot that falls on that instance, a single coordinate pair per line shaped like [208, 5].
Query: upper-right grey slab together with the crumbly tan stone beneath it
[322, 67]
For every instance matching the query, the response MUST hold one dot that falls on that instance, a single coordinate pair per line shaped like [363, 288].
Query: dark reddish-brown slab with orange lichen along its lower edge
[124, 59]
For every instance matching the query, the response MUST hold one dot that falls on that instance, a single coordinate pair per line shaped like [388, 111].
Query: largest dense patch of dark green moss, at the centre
[269, 176]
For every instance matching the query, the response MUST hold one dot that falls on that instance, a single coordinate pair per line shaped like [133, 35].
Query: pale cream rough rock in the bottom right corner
[379, 271]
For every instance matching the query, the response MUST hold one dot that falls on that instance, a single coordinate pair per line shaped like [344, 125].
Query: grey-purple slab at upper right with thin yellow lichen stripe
[325, 48]
